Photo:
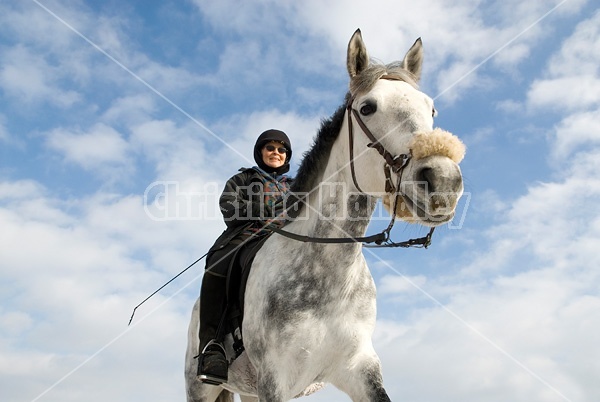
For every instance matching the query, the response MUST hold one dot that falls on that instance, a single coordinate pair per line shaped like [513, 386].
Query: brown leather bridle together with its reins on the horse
[393, 163]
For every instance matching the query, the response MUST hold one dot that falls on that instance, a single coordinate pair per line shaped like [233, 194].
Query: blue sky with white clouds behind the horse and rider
[120, 121]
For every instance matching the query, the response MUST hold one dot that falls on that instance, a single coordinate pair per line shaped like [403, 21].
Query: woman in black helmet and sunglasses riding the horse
[250, 198]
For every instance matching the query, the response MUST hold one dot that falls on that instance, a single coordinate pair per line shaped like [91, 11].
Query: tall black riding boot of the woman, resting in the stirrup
[212, 362]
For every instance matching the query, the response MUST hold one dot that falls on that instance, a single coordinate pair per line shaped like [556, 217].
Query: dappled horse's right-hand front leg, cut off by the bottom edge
[363, 381]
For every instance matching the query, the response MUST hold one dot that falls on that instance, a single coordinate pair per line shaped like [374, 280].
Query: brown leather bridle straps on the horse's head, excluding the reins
[395, 163]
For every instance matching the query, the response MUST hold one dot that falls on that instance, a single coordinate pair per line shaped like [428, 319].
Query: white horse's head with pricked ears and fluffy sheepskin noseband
[397, 118]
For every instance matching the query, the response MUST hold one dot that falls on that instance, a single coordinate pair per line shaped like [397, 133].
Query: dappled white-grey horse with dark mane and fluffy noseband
[310, 307]
